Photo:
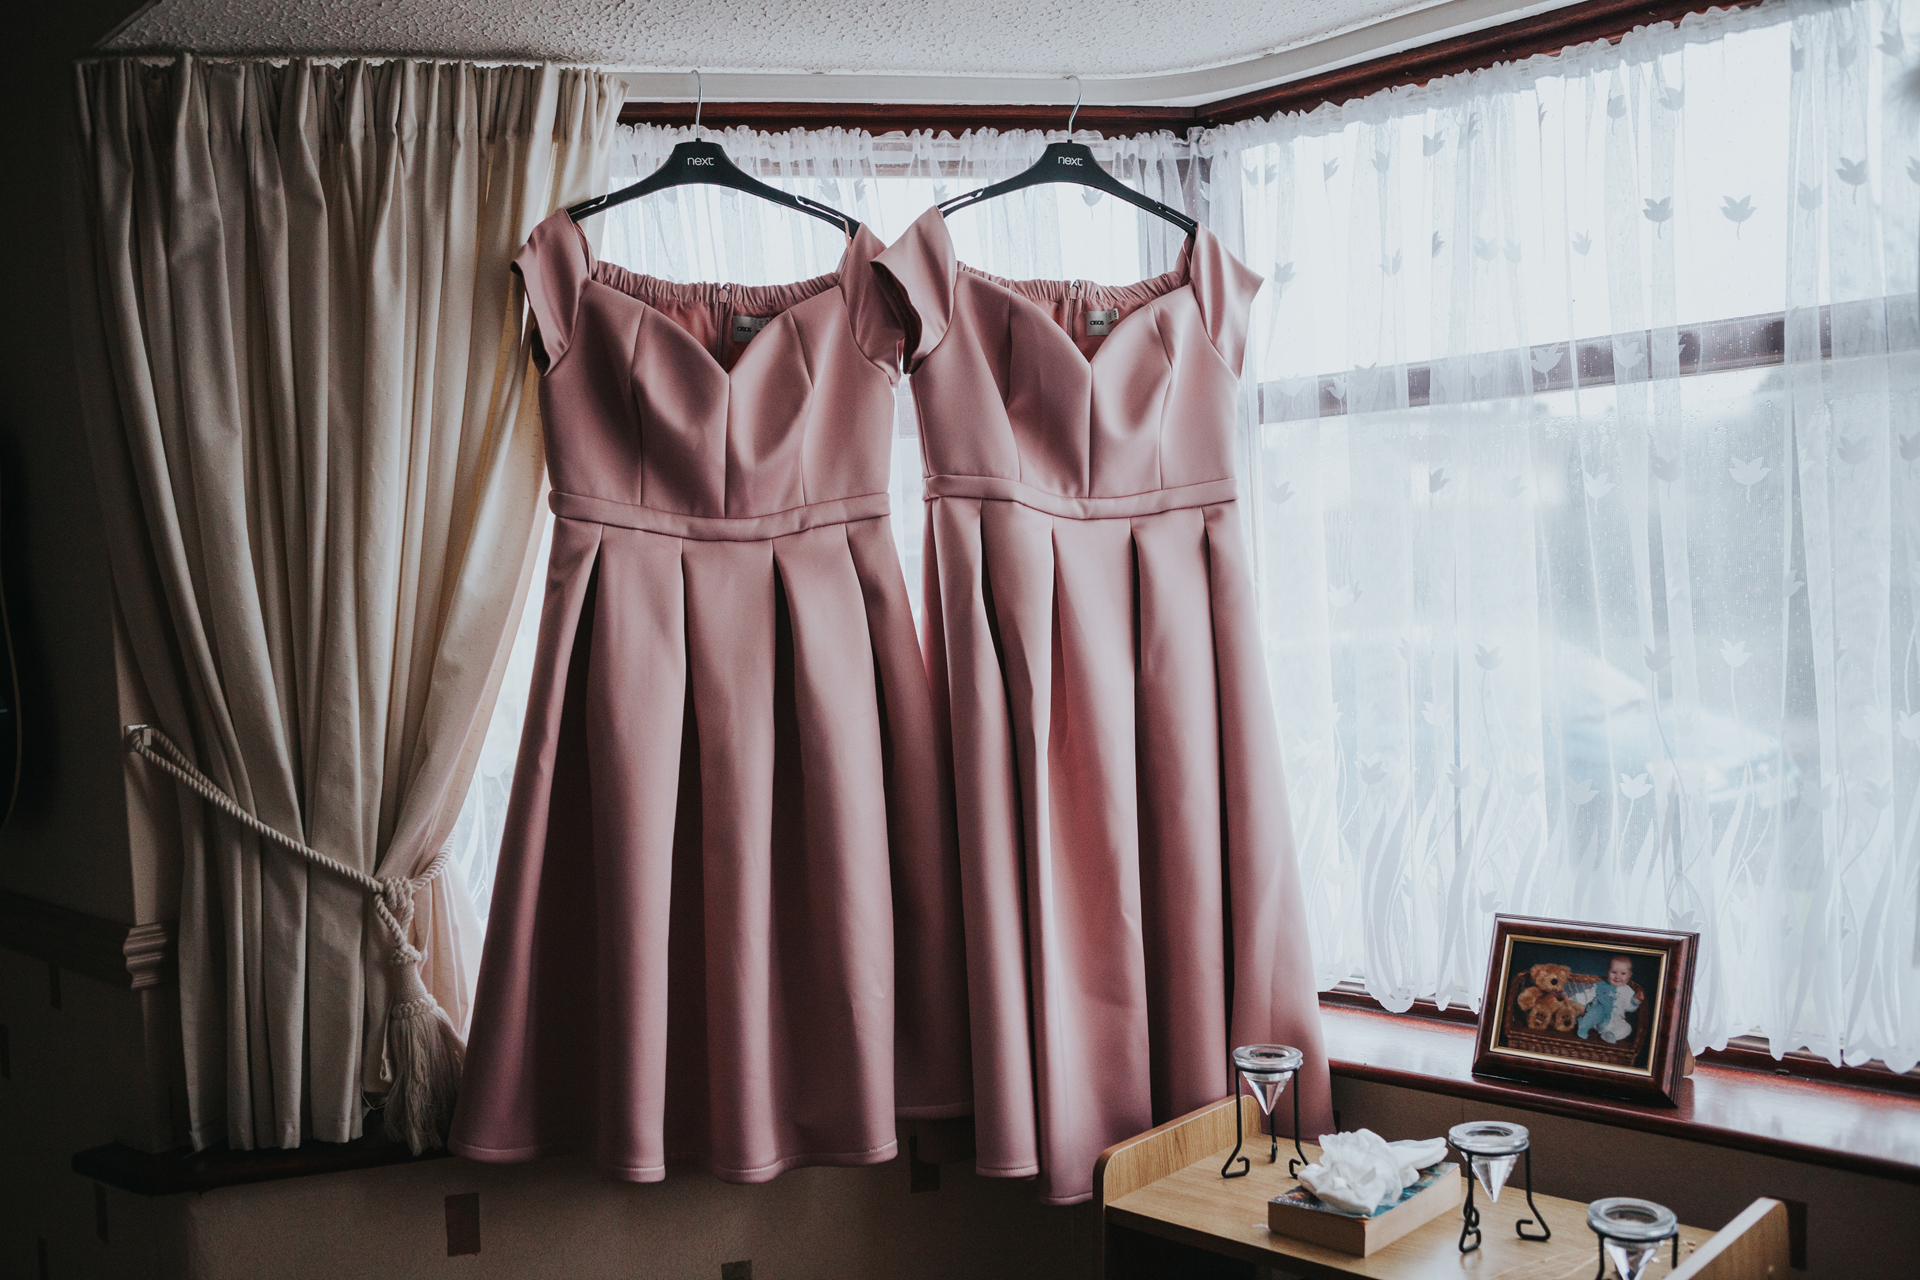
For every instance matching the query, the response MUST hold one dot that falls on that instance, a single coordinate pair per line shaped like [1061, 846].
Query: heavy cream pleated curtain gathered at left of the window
[322, 465]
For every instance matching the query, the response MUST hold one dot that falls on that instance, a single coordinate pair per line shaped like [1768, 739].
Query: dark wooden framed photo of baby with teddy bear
[1593, 1007]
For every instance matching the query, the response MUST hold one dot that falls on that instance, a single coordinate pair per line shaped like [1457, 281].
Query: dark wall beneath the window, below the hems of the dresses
[562, 1220]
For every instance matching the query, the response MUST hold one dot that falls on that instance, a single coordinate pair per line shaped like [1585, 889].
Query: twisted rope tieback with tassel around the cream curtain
[421, 1043]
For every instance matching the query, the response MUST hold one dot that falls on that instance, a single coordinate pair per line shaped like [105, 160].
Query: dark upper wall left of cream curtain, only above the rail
[68, 840]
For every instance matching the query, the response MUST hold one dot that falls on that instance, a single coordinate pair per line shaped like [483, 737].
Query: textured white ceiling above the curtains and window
[848, 37]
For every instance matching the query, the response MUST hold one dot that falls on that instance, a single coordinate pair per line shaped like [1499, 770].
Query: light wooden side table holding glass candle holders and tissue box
[1166, 1183]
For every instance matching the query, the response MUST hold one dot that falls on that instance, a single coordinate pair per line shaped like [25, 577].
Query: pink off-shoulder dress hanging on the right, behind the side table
[1128, 870]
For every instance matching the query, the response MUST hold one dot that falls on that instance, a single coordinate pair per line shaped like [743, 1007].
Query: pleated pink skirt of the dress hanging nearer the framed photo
[1128, 874]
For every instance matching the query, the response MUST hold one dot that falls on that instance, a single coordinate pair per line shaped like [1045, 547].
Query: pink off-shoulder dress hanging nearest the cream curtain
[725, 928]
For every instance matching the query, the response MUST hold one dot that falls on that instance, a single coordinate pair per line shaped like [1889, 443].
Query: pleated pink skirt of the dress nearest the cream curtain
[731, 801]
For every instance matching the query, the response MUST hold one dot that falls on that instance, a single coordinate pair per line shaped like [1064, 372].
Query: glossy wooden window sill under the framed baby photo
[1813, 1122]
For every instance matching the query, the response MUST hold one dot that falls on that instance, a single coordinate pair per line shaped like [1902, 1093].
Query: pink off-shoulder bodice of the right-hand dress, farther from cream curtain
[1044, 404]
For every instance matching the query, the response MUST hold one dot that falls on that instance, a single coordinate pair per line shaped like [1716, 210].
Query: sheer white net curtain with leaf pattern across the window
[1556, 623]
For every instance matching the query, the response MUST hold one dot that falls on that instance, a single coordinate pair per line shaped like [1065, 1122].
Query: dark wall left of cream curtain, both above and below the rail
[72, 1072]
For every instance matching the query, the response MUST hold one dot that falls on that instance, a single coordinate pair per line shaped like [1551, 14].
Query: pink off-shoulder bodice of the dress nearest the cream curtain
[679, 406]
